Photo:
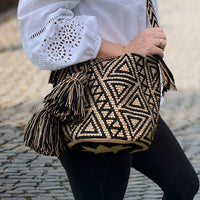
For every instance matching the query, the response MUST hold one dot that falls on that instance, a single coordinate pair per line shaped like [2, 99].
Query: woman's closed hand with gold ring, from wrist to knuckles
[150, 41]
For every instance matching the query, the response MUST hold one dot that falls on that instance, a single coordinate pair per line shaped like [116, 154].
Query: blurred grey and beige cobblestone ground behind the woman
[26, 175]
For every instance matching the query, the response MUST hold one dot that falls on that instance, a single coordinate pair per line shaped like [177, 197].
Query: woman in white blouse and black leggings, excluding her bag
[59, 33]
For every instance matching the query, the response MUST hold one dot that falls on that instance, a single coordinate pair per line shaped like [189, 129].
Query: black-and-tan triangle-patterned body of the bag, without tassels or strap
[122, 105]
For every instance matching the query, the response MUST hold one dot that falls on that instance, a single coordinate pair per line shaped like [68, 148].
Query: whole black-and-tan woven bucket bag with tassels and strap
[102, 105]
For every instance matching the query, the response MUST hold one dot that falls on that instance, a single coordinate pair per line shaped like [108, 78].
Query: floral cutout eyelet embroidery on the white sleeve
[65, 40]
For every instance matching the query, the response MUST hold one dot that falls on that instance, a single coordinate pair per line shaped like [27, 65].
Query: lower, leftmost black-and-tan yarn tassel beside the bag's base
[44, 134]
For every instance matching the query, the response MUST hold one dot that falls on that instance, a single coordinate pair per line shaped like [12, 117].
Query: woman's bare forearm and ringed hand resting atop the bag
[150, 41]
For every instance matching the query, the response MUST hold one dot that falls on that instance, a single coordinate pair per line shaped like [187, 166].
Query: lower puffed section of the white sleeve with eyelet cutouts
[63, 41]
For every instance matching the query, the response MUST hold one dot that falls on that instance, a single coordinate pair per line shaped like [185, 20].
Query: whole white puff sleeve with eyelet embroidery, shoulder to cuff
[53, 37]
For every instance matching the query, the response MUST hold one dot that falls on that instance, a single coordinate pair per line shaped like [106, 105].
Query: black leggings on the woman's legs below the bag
[105, 176]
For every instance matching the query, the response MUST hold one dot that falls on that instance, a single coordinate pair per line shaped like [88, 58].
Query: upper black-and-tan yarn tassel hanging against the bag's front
[67, 100]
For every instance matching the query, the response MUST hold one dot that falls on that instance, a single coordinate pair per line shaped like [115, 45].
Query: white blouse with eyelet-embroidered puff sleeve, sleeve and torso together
[59, 33]
